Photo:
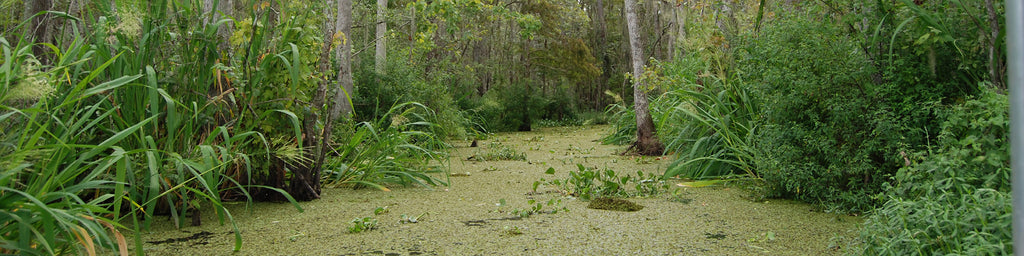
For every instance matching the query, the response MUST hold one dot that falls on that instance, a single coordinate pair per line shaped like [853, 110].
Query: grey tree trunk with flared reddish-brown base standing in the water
[648, 144]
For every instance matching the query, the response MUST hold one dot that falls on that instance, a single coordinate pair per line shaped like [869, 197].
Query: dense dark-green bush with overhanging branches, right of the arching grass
[839, 111]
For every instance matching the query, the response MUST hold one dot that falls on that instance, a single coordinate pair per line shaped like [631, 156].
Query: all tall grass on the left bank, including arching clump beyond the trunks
[145, 115]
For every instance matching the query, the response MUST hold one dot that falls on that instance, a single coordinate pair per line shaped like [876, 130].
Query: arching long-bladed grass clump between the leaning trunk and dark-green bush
[711, 130]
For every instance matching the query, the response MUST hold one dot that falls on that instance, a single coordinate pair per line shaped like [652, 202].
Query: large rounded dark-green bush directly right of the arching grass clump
[818, 142]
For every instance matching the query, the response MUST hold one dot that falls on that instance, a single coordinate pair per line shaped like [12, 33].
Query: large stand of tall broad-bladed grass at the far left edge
[124, 125]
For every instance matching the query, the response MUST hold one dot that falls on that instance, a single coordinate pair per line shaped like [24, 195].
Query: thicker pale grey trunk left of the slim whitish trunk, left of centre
[343, 107]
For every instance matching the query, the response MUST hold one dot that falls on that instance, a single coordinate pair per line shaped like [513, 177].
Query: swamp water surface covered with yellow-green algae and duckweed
[467, 219]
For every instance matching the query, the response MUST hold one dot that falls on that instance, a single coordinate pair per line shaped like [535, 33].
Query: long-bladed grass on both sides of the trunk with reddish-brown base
[708, 125]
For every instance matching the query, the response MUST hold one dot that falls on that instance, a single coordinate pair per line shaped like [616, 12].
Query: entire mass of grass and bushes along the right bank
[882, 108]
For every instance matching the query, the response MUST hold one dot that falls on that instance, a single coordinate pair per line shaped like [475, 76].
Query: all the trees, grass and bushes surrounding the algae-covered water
[114, 112]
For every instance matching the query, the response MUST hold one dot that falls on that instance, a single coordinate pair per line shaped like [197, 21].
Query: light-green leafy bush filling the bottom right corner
[957, 199]
